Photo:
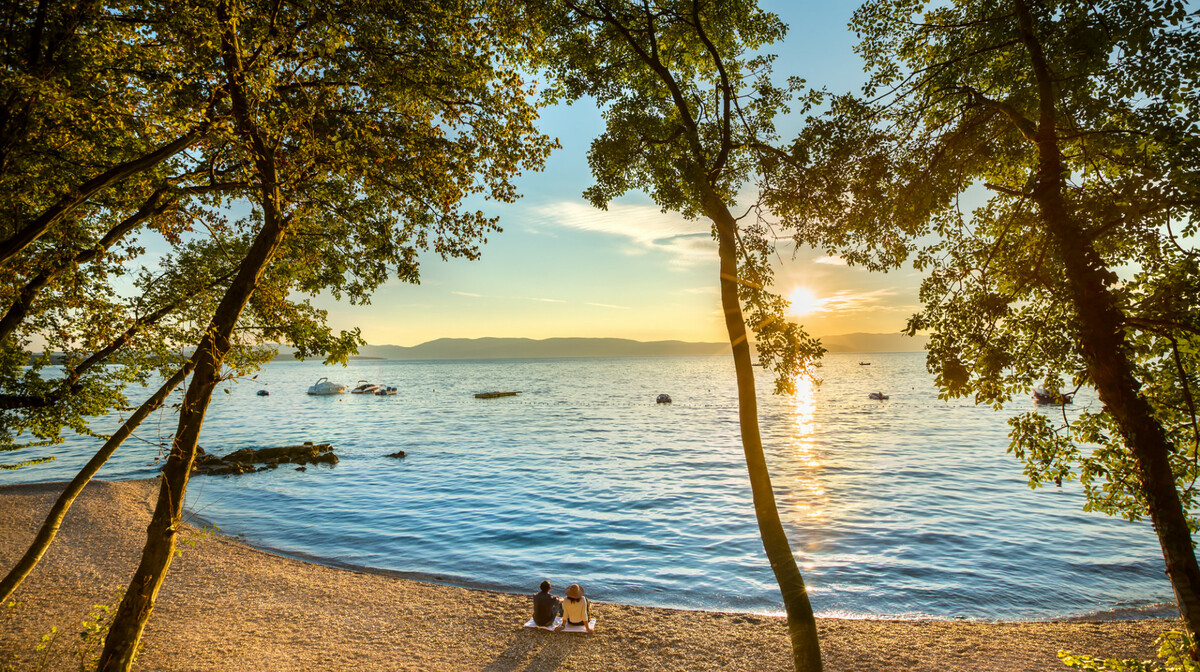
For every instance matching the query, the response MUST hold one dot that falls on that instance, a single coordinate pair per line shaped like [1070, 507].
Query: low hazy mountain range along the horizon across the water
[530, 349]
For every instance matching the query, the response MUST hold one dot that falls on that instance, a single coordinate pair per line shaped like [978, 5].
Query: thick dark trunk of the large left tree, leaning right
[125, 632]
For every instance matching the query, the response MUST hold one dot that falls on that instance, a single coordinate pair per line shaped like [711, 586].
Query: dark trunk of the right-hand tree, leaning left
[1100, 329]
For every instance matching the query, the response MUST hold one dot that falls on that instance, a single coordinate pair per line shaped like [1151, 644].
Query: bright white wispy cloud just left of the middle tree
[647, 227]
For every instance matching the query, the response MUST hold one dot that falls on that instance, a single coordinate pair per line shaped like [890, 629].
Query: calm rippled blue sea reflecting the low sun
[904, 508]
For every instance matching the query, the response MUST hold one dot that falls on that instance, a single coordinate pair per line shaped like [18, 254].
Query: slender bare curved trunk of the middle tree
[802, 626]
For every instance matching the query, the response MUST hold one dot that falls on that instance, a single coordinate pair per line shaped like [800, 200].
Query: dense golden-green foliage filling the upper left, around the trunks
[385, 119]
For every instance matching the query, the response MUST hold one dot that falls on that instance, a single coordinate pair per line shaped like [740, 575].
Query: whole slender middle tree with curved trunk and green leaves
[686, 100]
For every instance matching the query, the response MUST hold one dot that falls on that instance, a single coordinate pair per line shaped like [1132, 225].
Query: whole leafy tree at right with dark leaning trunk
[1079, 119]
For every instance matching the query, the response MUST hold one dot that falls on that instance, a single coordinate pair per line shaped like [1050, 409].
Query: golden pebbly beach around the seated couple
[232, 608]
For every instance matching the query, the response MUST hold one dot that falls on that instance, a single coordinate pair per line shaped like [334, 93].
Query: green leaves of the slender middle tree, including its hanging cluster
[688, 100]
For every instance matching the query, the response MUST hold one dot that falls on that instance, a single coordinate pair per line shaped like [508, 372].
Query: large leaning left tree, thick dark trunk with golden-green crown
[362, 129]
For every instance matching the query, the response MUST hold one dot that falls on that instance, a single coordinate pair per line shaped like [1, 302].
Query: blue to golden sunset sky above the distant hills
[563, 268]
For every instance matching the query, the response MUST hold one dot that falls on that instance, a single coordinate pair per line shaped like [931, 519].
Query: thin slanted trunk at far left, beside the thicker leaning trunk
[67, 499]
